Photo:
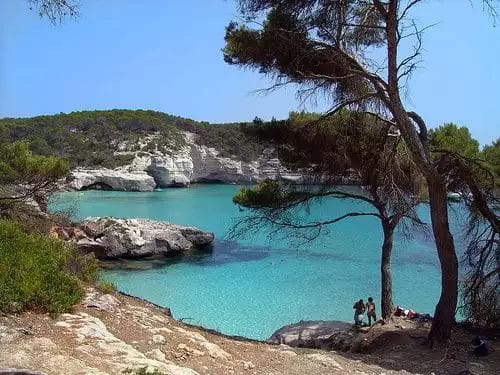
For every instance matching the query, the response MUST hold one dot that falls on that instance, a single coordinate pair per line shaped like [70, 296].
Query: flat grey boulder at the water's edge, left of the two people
[310, 334]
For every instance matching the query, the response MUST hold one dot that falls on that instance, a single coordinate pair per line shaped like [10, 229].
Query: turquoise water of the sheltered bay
[254, 286]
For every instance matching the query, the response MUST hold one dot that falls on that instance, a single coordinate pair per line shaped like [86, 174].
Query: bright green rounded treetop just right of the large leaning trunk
[452, 138]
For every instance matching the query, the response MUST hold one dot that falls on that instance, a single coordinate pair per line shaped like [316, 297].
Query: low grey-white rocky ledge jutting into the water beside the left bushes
[112, 238]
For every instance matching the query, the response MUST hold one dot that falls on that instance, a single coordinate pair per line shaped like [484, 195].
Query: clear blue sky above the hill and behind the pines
[165, 55]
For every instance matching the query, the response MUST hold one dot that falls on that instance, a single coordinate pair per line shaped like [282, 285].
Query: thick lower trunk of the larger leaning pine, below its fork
[445, 309]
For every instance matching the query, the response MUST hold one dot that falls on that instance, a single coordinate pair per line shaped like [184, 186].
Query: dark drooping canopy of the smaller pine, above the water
[345, 145]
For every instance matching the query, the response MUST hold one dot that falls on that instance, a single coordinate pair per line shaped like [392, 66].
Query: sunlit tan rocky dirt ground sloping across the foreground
[110, 334]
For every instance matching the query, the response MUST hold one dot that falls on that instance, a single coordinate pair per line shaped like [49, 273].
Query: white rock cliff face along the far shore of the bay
[192, 163]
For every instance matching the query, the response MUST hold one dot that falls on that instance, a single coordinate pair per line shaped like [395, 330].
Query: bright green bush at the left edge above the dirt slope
[39, 272]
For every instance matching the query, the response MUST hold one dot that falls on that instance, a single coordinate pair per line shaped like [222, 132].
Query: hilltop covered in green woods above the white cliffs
[94, 138]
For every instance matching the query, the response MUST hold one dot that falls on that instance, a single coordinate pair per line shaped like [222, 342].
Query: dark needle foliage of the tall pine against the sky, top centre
[298, 43]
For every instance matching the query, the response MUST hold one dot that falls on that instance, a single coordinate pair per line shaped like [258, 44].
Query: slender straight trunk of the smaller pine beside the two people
[385, 268]
